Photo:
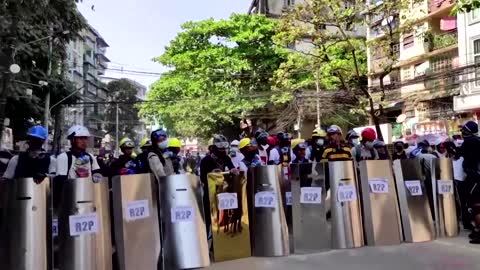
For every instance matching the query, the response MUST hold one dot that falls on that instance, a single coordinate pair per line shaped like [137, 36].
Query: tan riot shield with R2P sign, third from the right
[381, 215]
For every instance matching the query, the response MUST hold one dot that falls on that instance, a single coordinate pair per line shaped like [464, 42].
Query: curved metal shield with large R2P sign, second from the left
[84, 226]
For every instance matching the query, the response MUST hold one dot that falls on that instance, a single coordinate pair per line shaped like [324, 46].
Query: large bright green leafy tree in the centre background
[219, 70]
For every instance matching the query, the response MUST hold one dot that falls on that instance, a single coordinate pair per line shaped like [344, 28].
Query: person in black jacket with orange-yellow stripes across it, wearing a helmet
[337, 149]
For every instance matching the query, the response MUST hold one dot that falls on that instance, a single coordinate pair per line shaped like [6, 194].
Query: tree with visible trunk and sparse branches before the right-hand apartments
[336, 55]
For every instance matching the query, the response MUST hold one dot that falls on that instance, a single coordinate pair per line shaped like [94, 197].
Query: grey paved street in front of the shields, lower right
[445, 254]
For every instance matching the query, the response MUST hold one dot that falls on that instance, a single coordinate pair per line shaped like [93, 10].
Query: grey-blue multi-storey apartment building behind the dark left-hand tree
[87, 62]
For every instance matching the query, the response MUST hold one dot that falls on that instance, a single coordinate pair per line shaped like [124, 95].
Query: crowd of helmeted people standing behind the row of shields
[161, 156]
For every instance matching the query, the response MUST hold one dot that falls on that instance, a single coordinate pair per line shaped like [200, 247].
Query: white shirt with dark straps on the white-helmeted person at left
[75, 169]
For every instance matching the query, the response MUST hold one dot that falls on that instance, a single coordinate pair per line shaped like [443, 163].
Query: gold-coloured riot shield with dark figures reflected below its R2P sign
[229, 215]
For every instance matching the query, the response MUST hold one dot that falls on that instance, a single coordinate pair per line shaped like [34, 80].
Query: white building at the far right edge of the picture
[469, 54]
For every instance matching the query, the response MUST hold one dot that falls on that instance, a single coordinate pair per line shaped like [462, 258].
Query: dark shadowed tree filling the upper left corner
[21, 23]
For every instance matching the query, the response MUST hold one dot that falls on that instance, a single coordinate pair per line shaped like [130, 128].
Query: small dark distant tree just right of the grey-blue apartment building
[123, 91]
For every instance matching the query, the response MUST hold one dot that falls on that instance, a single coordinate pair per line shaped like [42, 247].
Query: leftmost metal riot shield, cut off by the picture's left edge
[26, 236]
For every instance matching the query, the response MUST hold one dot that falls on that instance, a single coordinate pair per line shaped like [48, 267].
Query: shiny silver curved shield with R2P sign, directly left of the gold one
[183, 229]
